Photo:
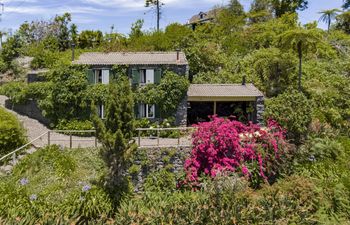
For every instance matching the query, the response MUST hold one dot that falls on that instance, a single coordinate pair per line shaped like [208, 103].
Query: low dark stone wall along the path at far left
[29, 109]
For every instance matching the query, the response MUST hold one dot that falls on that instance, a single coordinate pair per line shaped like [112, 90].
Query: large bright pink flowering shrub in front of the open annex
[224, 146]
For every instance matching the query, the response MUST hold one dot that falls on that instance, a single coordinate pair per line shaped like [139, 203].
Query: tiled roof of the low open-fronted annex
[223, 90]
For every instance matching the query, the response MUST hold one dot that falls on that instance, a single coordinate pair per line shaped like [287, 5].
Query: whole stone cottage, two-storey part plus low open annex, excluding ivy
[244, 101]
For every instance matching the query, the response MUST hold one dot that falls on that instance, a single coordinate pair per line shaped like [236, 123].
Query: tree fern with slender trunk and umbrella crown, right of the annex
[301, 40]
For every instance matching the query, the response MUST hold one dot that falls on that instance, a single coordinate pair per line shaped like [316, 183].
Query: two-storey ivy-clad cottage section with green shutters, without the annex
[143, 68]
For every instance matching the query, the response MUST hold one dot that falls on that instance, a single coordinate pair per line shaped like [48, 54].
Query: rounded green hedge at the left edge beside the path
[12, 135]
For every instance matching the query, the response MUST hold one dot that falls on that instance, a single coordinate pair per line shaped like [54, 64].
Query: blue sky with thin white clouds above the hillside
[102, 14]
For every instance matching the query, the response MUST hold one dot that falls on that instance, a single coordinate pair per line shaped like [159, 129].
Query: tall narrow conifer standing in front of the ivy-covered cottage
[115, 133]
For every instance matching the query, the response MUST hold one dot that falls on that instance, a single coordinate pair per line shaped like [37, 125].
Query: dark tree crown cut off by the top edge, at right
[281, 7]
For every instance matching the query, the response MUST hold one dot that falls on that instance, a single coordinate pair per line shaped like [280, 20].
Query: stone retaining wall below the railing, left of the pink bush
[151, 160]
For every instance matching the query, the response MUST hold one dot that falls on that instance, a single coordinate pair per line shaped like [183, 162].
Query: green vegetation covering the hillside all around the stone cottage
[302, 70]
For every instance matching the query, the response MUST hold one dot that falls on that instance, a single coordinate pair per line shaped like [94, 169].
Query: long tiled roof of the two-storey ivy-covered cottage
[132, 58]
